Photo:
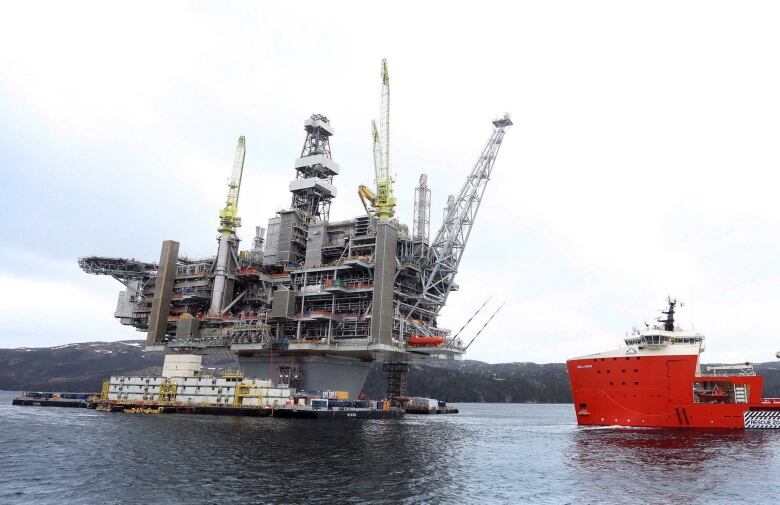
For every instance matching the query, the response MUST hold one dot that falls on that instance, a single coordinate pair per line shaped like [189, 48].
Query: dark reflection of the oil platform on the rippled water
[293, 461]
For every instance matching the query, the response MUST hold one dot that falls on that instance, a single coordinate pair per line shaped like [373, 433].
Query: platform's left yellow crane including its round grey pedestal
[226, 263]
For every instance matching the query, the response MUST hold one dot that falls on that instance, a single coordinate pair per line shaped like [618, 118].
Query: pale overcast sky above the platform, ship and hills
[643, 161]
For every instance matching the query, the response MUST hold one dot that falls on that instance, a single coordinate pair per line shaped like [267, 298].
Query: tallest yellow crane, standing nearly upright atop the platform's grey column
[381, 204]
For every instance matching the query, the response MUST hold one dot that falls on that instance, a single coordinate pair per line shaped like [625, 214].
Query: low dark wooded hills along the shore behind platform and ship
[83, 366]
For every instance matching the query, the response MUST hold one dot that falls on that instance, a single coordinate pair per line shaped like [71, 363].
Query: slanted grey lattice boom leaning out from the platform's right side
[447, 247]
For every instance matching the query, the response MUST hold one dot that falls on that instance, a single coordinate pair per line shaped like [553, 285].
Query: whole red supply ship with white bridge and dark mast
[655, 380]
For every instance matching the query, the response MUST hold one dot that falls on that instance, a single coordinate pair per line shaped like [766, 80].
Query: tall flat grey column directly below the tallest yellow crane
[384, 279]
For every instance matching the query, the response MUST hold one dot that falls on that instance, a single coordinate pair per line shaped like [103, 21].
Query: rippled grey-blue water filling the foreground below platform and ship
[486, 454]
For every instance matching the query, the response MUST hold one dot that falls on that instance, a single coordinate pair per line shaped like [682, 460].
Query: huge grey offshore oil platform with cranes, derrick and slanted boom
[313, 303]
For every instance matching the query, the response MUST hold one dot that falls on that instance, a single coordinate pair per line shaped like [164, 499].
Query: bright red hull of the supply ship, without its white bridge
[659, 391]
